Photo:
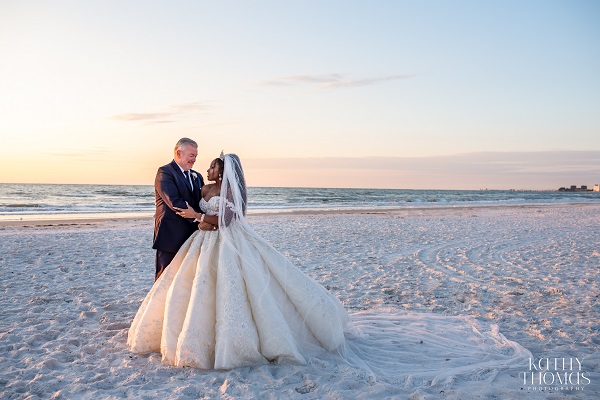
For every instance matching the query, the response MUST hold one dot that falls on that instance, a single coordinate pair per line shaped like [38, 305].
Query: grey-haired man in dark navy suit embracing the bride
[175, 185]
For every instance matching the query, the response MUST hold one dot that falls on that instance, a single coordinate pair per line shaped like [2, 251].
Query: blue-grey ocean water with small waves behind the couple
[40, 201]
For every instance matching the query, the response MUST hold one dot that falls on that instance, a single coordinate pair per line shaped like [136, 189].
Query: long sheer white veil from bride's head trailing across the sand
[399, 348]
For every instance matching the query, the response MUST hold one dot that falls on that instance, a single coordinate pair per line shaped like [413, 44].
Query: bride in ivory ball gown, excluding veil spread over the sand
[229, 298]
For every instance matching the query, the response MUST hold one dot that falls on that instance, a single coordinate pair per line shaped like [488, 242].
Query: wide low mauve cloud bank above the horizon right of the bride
[541, 170]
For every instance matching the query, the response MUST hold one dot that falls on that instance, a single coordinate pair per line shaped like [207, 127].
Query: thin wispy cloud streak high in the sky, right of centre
[330, 81]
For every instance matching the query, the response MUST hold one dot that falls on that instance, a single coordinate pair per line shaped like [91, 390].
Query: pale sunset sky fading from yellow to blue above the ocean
[380, 94]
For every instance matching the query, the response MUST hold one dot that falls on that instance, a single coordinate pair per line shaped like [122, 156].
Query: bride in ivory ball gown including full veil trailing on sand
[230, 299]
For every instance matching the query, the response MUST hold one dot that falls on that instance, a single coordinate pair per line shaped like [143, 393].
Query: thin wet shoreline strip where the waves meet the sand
[93, 219]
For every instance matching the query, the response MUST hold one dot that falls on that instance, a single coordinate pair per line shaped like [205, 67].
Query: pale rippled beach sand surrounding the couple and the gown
[70, 290]
